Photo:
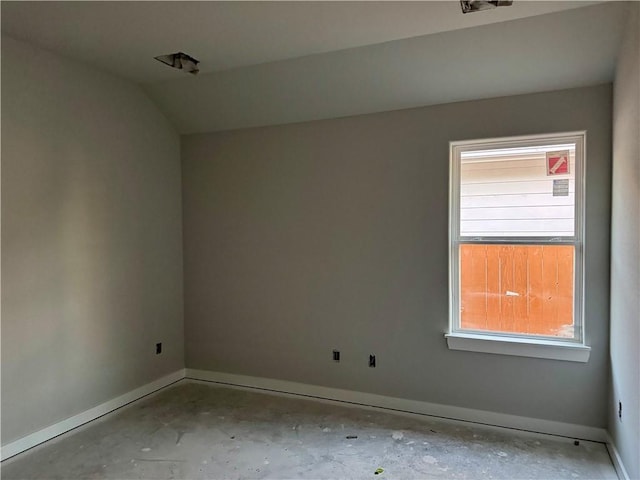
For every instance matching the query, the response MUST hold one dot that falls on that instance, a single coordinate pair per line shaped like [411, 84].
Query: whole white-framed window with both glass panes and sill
[516, 246]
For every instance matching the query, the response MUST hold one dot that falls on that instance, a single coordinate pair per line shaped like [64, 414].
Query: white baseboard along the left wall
[59, 428]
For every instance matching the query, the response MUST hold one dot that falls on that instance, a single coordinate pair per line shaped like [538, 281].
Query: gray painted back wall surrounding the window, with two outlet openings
[333, 234]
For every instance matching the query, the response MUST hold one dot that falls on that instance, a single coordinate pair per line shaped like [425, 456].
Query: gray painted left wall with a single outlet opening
[91, 240]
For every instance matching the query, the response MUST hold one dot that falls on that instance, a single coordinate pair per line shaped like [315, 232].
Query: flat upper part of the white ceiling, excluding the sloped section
[123, 37]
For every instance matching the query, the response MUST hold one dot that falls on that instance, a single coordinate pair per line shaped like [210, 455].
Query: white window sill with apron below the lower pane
[521, 347]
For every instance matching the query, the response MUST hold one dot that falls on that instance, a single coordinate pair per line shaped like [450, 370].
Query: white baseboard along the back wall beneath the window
[400, 405]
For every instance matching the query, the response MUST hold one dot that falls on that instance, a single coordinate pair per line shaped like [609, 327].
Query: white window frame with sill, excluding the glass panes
[571, 349]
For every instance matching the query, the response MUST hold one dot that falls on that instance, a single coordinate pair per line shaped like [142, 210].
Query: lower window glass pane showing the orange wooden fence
[522, 289]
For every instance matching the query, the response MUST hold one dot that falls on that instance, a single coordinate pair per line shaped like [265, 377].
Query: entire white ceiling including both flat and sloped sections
[277, 62]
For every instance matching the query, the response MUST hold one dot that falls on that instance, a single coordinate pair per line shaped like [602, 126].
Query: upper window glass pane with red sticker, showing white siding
[518, 192]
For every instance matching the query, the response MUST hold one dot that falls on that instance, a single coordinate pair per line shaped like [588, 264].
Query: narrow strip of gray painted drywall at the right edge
[625, 251]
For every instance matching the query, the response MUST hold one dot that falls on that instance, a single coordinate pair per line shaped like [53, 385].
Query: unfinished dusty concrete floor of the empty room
[205, 431]
